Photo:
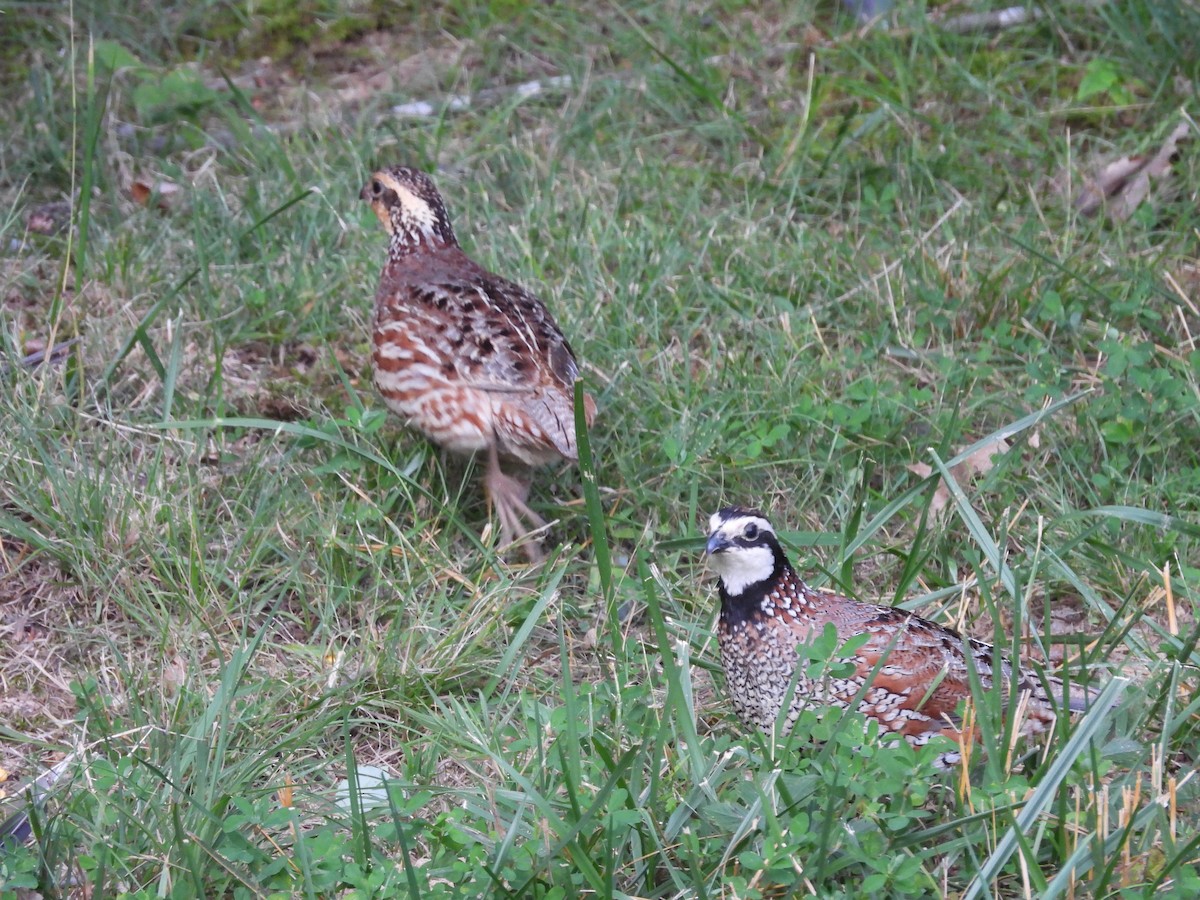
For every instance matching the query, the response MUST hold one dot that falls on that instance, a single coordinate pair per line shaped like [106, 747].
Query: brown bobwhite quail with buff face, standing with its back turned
[470, 359]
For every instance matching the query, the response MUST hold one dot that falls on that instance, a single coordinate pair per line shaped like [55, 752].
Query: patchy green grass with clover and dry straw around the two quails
[236, 590]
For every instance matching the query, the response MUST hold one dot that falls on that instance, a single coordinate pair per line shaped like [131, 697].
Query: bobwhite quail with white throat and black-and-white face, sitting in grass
[767, 611]
